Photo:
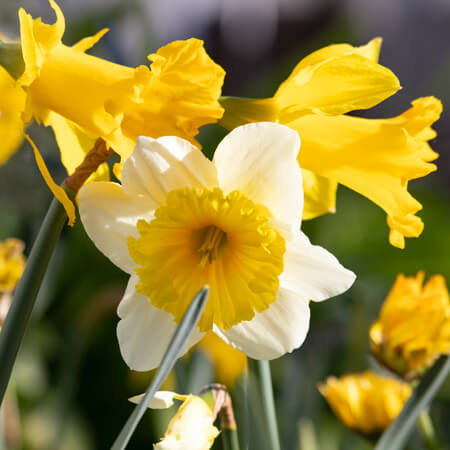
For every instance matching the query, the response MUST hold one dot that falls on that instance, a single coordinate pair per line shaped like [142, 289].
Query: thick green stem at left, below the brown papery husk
[27, 289]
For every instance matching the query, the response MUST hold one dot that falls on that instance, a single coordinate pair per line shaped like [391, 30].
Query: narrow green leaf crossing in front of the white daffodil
[182, 333]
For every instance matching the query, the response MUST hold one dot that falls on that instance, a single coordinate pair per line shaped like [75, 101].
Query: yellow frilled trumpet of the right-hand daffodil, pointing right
[375, 157]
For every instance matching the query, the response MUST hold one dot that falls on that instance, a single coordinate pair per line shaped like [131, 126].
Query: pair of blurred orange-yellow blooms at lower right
[413, 330]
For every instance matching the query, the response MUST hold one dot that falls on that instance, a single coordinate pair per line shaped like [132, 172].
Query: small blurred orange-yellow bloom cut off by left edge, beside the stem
[12, 263]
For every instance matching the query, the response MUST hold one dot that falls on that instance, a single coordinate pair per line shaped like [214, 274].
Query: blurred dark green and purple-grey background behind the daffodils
[70, 385]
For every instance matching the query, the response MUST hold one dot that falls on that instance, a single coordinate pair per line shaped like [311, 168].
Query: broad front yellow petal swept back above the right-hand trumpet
[335, 86]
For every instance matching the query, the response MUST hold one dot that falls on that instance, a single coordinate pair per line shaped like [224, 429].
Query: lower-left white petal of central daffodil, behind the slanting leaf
[144, 332]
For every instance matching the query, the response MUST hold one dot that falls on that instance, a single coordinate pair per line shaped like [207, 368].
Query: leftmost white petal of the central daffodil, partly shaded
[109, 216]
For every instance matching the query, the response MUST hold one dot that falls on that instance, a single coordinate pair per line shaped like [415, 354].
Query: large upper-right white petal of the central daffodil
[260, 159]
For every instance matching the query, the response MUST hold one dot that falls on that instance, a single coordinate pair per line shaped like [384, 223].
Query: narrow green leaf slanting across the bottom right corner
[397, 435]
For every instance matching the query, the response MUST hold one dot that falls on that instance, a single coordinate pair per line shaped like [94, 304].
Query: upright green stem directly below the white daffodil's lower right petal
[261, 370]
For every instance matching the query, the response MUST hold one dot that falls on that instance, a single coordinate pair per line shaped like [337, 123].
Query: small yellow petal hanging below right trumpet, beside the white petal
[320, 195]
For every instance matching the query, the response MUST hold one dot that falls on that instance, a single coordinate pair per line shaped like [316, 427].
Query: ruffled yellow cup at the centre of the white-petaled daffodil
[204, 237]
